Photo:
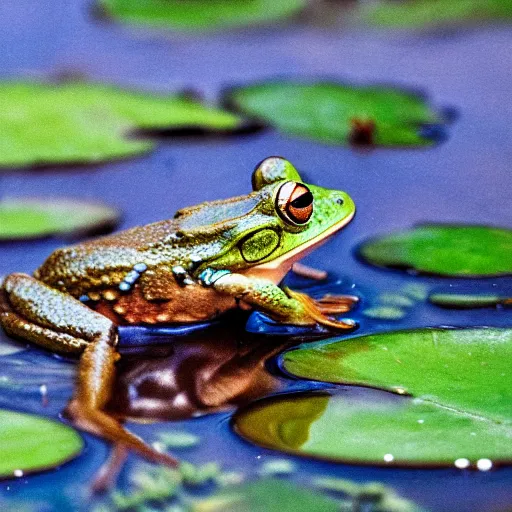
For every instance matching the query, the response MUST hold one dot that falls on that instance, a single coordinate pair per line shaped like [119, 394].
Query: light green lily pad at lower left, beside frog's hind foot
[31, 443]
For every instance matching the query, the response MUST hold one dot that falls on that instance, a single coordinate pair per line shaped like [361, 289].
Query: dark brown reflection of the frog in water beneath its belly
[215, 369]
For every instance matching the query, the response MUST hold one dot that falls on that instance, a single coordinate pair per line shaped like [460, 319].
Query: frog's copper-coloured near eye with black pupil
[294, 203]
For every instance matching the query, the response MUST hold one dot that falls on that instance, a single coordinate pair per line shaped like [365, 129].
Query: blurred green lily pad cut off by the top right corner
[435, 13]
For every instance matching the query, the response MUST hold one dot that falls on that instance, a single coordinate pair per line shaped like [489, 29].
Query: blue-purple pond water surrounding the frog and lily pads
[466, 179]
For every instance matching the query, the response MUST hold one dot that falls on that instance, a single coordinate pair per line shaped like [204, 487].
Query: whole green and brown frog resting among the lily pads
[207, 260]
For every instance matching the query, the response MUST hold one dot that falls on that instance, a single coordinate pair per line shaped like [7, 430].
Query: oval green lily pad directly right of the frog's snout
[443, 249]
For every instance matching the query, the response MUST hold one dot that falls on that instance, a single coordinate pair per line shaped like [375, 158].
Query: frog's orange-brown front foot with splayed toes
[318, 309]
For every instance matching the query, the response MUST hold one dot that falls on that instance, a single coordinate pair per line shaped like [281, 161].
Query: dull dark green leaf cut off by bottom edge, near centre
[268, 495]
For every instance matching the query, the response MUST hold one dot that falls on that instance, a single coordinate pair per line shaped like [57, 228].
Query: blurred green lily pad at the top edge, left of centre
[190, 15]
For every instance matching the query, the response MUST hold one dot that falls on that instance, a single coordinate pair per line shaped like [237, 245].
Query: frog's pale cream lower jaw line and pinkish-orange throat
[276, 269]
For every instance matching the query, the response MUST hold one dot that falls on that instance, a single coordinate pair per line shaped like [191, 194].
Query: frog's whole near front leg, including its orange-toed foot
[285, 306]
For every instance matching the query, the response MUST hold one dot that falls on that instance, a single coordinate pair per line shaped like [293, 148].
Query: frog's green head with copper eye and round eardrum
[281, 221]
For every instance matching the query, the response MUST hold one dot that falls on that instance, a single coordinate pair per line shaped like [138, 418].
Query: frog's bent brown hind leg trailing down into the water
[33, 311]
